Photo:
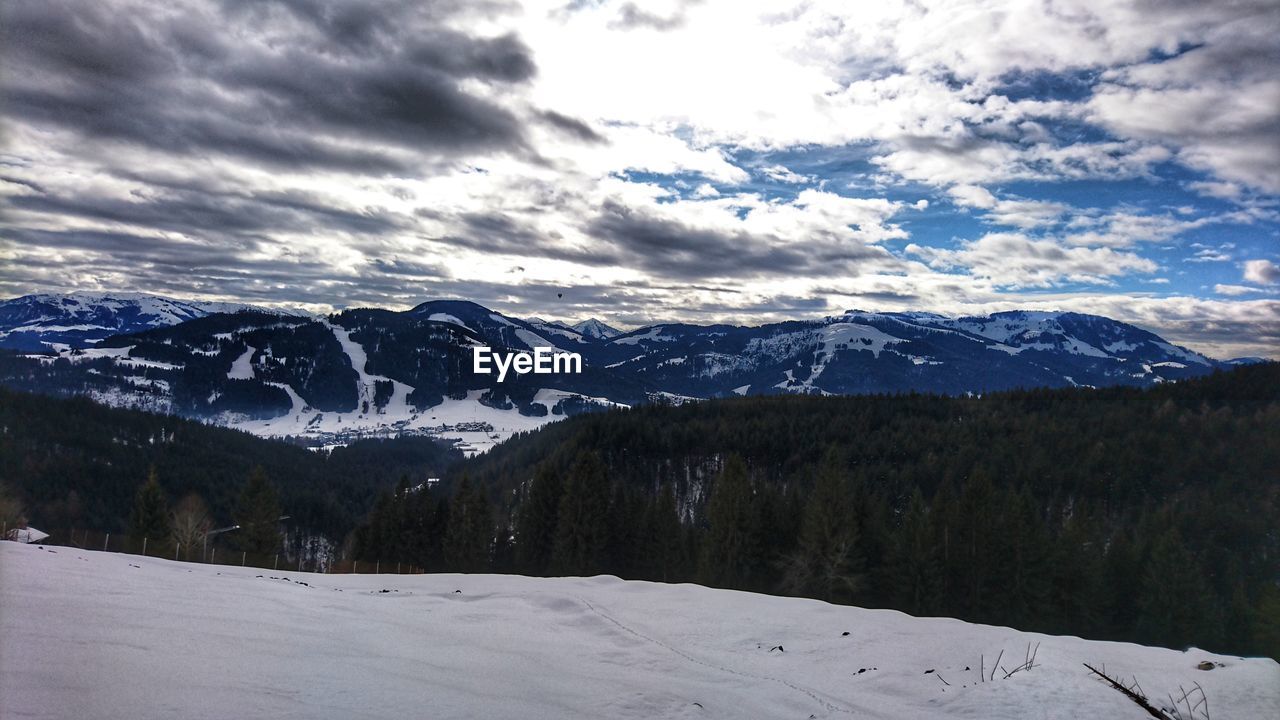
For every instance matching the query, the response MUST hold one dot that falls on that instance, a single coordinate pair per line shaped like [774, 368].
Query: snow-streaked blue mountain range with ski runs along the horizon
[381, 372]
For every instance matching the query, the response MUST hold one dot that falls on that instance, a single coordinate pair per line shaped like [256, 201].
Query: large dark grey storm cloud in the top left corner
[349, 83]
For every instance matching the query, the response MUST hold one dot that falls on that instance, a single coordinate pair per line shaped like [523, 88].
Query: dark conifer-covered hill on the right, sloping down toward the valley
[1145, 516]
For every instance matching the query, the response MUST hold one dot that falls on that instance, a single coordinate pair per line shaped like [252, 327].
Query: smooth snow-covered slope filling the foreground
[88, 635]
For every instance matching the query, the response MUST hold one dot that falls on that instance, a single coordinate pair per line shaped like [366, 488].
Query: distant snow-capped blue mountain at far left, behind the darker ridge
[80, 320]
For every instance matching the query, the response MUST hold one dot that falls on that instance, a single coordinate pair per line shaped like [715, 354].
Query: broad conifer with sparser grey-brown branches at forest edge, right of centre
[829, 564]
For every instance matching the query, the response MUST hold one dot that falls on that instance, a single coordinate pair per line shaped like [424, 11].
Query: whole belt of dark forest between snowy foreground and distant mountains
[1130, 514]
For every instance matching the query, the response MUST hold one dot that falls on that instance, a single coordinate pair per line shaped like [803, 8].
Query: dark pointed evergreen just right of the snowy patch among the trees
[732, 550]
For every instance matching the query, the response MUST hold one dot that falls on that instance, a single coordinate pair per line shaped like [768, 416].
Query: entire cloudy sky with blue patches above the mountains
[642, 162]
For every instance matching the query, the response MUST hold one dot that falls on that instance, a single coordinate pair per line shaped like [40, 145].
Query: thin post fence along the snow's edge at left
[212, 552]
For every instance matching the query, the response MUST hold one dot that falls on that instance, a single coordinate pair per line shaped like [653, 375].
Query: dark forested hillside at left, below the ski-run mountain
[76, 464]
